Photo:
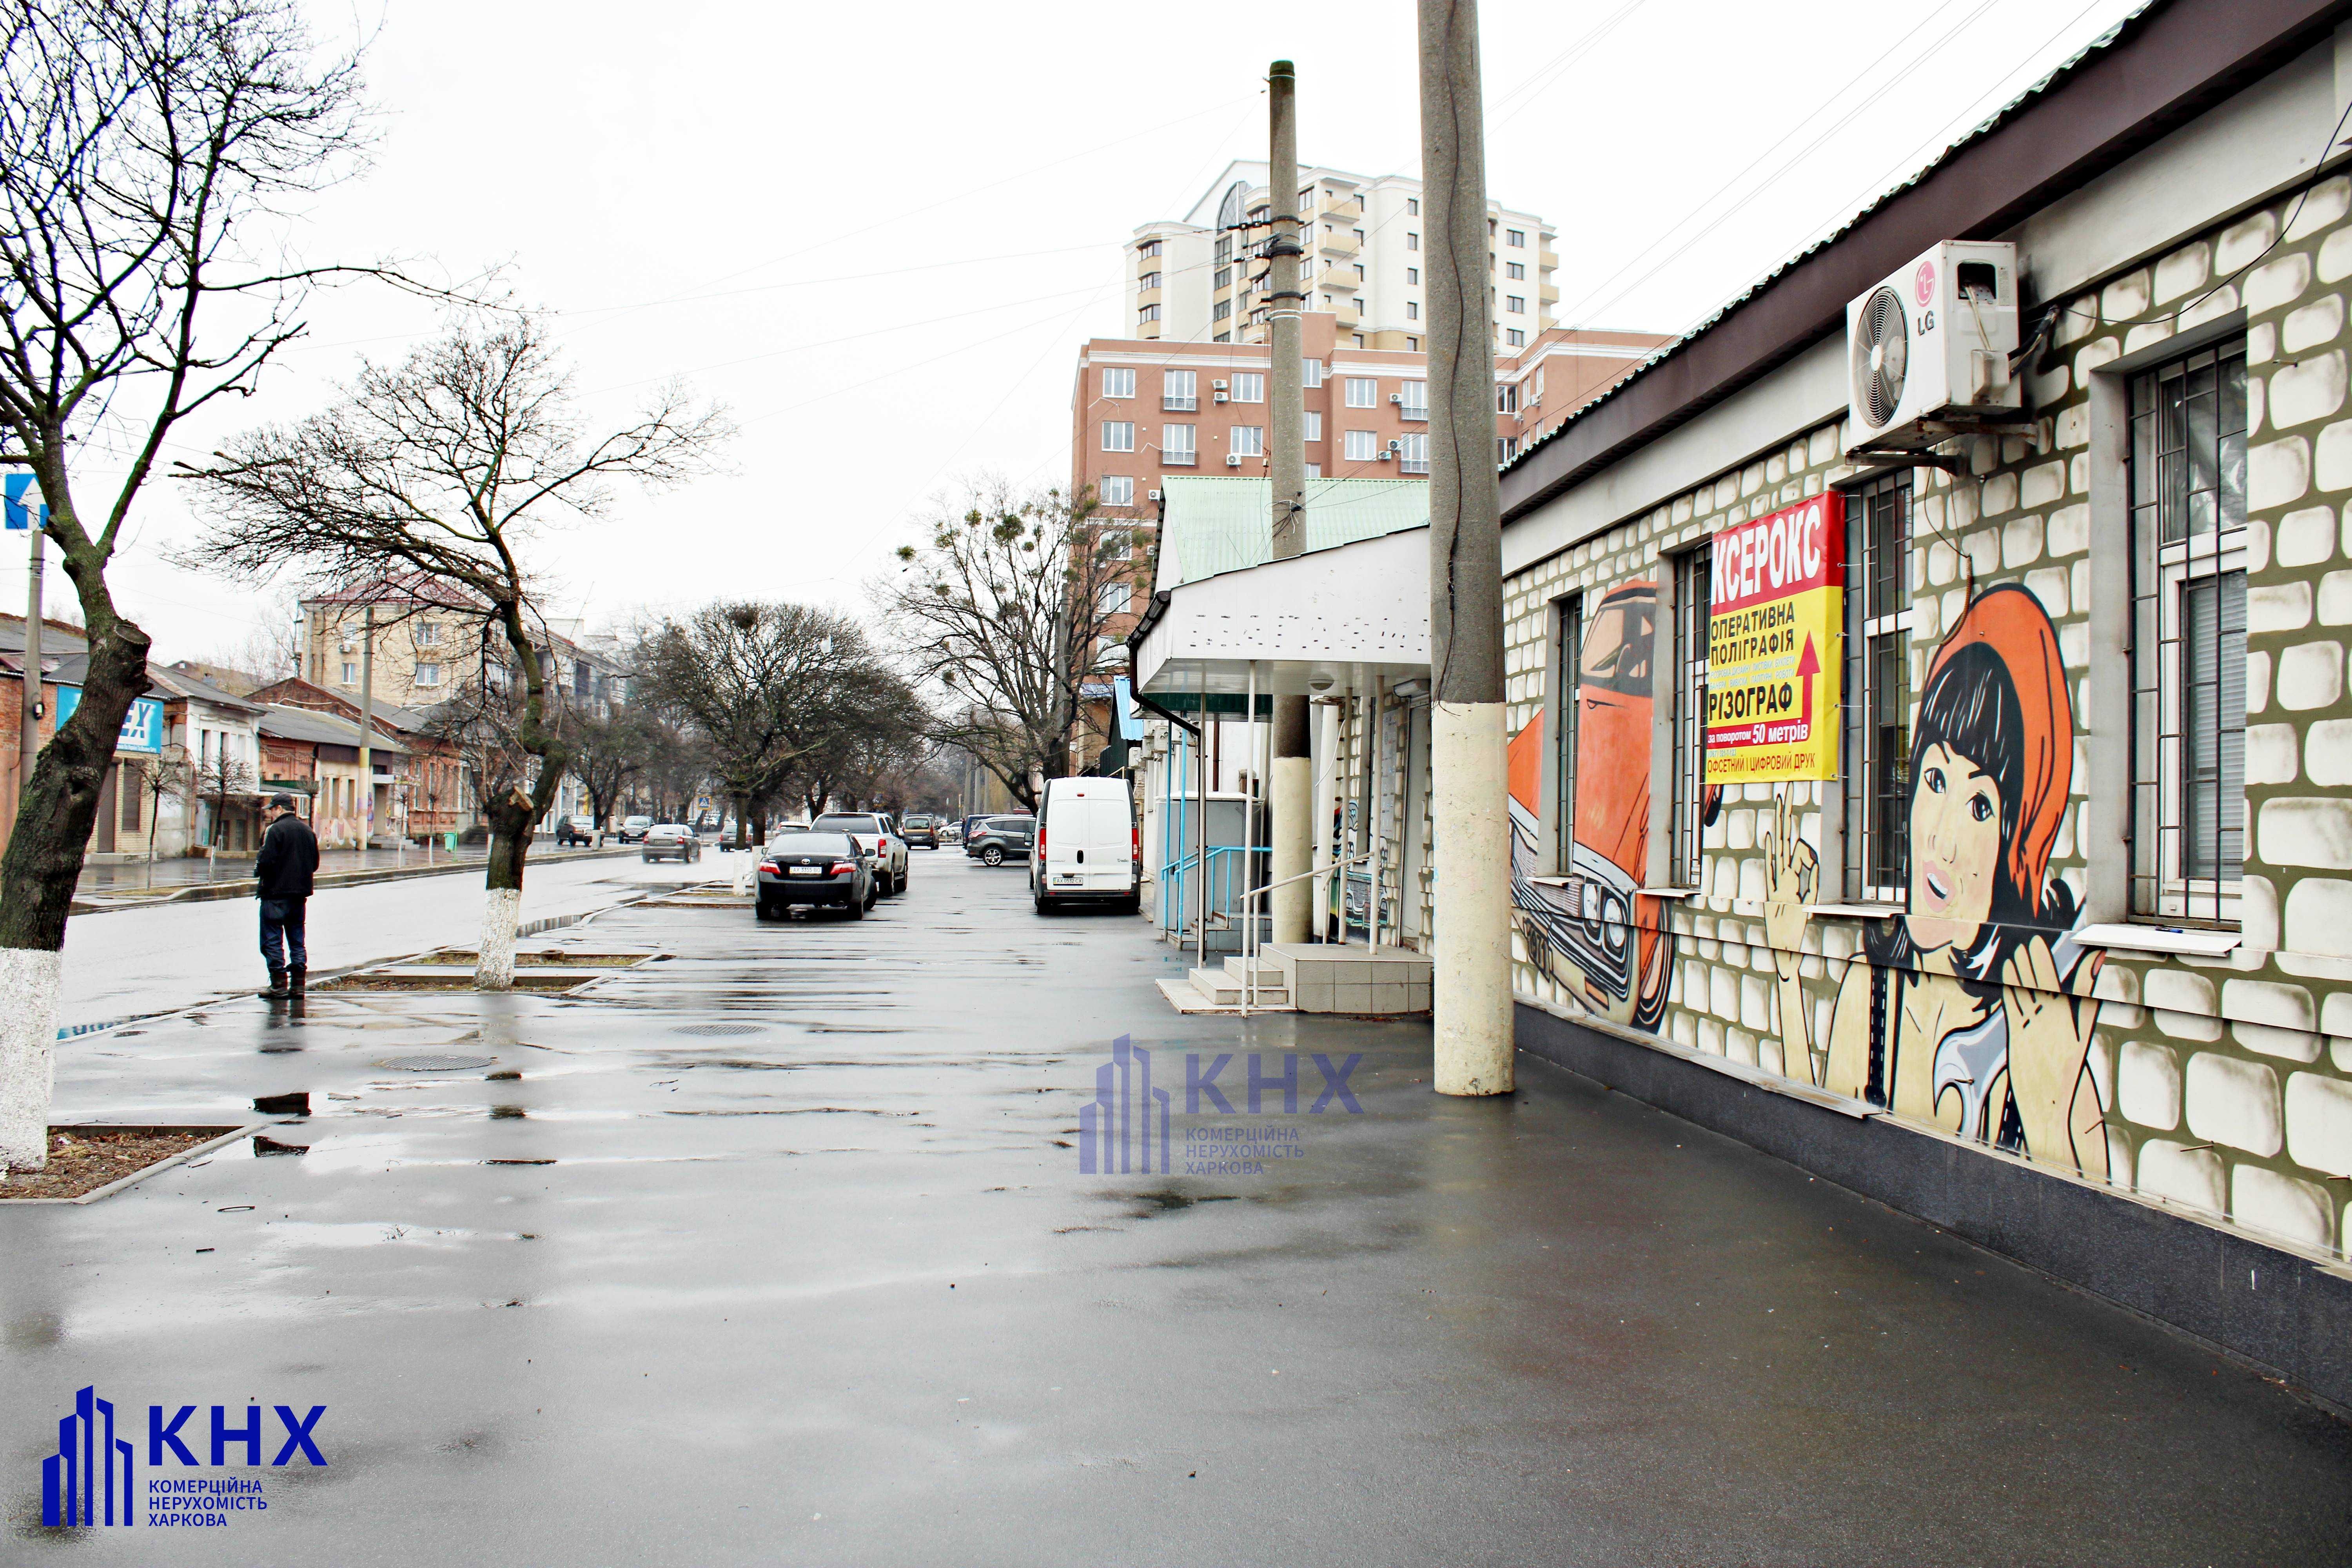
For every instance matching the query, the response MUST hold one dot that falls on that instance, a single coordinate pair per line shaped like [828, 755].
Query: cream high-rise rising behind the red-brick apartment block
[1201, 279]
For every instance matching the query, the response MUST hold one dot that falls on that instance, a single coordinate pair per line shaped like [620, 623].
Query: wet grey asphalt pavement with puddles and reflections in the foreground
[831, 1289]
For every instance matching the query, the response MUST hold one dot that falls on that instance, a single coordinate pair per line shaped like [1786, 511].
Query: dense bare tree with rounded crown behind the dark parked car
[766, 685]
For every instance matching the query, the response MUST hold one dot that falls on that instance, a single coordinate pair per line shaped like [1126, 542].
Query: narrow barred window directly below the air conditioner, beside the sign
[1876, 702]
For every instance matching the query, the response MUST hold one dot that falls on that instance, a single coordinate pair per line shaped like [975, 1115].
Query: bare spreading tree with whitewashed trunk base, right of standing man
[446, 469]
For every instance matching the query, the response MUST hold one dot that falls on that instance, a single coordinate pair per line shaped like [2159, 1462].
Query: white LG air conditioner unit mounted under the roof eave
[1927, 351]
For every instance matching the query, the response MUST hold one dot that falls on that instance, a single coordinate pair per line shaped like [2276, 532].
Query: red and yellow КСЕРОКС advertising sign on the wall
[1775, 645]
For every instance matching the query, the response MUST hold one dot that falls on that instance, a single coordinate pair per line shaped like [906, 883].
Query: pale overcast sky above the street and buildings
[878, 234]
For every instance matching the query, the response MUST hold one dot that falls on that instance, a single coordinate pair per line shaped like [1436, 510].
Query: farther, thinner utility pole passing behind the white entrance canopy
[1292, 775]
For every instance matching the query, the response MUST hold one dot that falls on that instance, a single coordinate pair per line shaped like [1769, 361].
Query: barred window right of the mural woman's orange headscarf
[2189, 636]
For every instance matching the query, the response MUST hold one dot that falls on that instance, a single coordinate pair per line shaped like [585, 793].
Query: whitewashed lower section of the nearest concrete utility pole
[1471, 974]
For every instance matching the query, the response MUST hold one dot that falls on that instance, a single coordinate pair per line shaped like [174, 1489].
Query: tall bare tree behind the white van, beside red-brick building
[1005, 608]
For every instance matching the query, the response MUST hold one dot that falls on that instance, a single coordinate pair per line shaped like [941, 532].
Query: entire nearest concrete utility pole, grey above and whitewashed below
[1469, 760]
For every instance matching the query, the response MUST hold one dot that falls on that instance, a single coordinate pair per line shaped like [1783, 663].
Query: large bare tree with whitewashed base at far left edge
[145, 152]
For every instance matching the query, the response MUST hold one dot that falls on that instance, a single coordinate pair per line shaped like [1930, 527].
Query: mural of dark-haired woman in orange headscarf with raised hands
[1975, 1007]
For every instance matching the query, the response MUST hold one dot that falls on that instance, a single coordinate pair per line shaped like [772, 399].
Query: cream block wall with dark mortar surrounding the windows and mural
[2221, 1085]
